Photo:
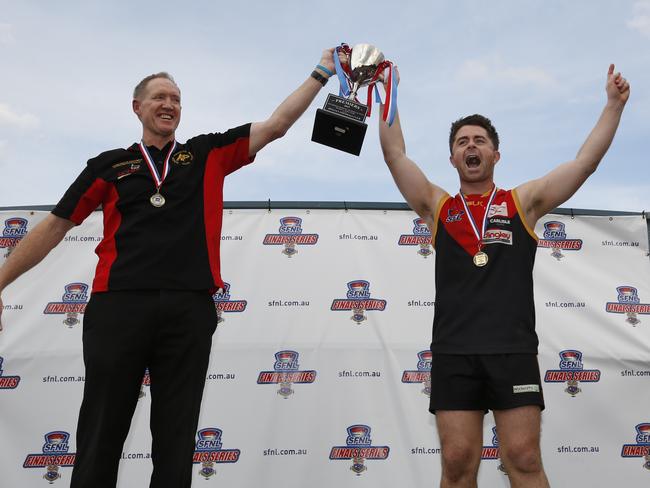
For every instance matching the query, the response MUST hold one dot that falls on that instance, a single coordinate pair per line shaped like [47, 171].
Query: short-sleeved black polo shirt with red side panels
[175, 246]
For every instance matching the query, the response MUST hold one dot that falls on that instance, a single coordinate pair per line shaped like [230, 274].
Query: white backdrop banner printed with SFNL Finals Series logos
[320, 364]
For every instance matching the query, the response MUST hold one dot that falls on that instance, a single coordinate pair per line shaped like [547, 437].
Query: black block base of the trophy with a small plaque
[338, 131]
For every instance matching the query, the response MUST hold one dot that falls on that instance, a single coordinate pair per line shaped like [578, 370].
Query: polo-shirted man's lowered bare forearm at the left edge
[32, 249]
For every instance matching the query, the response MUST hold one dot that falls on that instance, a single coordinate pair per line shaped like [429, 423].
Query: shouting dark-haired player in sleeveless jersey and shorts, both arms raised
[485, 356]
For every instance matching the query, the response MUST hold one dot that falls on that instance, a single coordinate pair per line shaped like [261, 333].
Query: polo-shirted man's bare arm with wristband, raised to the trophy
[290, 109]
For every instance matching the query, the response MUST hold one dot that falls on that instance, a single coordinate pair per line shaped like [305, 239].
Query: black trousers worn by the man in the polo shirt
[124, 332]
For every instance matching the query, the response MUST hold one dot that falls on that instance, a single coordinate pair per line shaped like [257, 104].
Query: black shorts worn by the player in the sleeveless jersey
[485, 382]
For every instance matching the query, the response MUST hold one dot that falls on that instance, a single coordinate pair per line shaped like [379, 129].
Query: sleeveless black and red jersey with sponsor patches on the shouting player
[484, 309]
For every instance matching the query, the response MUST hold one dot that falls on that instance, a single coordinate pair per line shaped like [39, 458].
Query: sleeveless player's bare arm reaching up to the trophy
[422, 195]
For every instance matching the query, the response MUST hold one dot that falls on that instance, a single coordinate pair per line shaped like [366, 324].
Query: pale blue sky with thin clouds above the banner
[536, 68]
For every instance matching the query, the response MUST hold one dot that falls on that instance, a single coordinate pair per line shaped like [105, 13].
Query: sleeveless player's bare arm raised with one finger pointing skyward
[540, 196]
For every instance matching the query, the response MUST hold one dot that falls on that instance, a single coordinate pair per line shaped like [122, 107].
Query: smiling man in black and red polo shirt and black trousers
[151, 305]
